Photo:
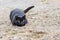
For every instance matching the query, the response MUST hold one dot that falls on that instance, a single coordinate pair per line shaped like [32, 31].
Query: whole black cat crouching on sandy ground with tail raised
[18, 17]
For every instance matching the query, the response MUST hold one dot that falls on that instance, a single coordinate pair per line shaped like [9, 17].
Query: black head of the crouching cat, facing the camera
[20, 21]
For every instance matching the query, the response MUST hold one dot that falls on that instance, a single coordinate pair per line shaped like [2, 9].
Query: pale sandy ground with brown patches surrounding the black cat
[43, 20]
